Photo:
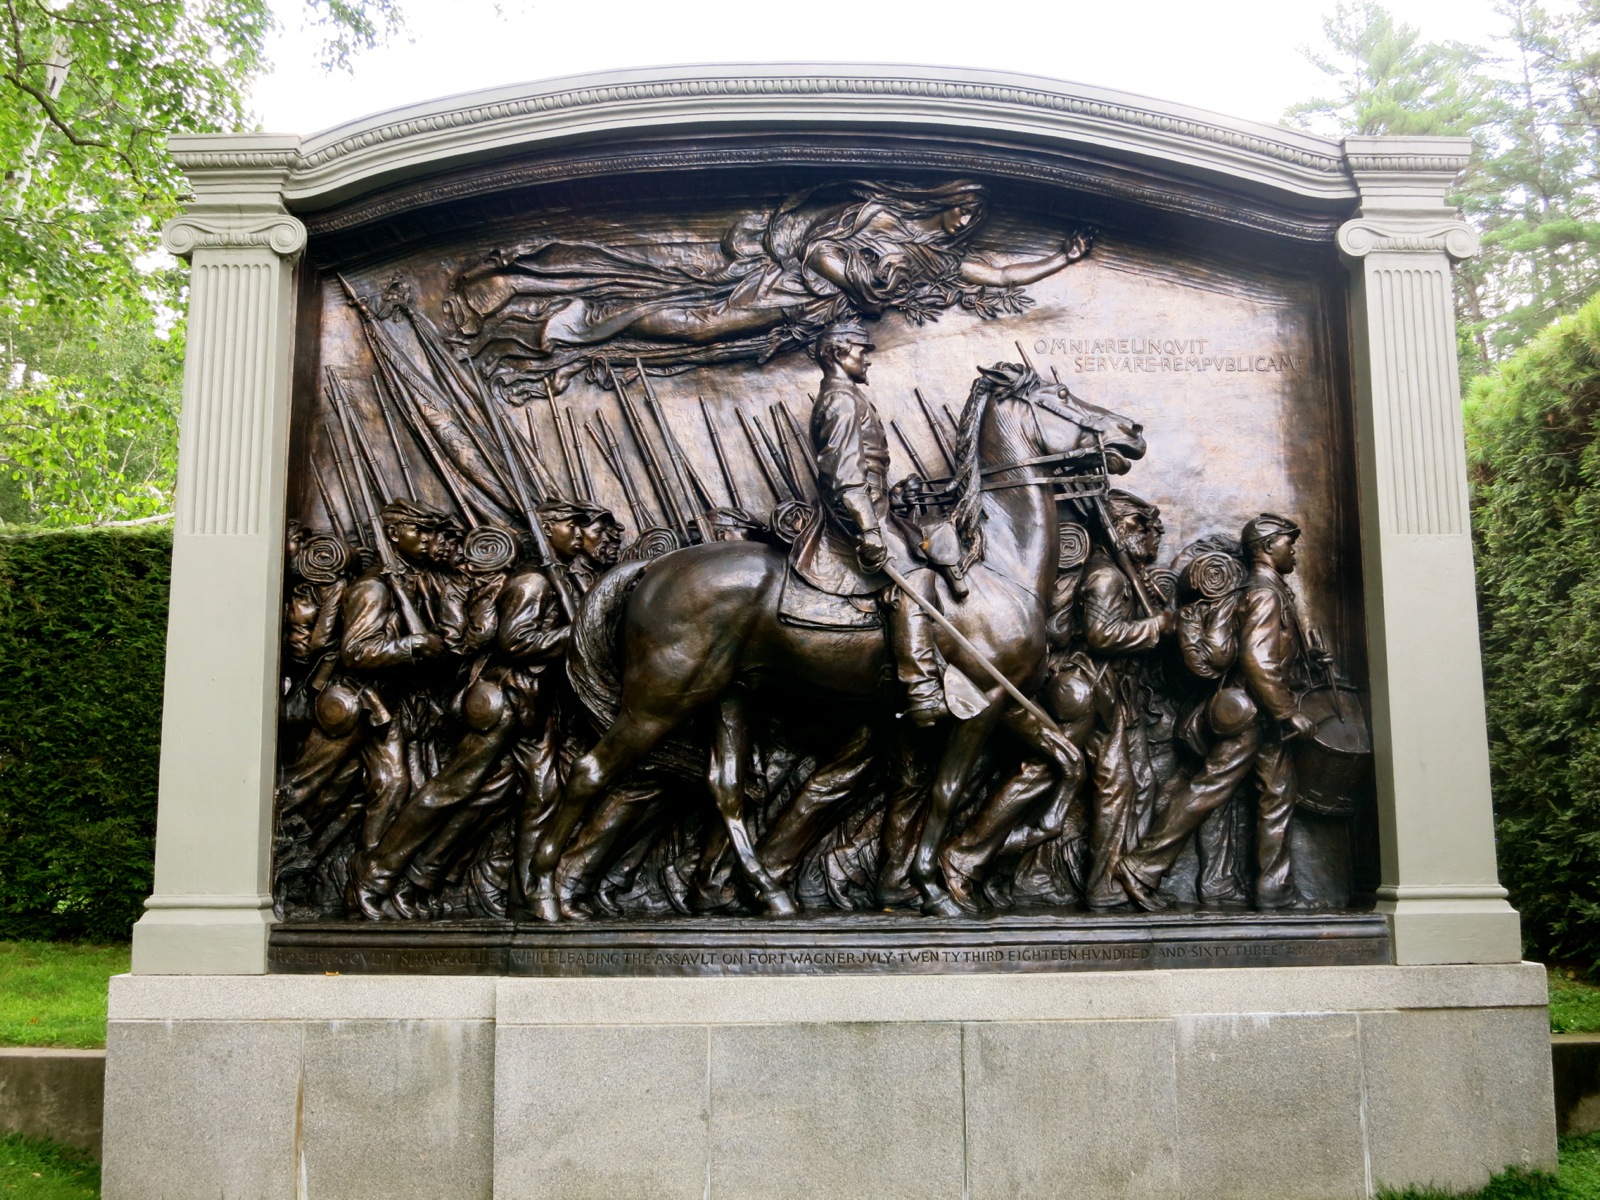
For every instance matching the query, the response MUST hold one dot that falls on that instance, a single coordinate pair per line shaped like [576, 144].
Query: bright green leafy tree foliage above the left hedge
[89, 92]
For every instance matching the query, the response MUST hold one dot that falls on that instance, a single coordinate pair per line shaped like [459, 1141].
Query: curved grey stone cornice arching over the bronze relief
[441, 135]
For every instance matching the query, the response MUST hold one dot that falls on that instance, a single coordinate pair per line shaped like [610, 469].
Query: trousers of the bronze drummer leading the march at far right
[1225, 770]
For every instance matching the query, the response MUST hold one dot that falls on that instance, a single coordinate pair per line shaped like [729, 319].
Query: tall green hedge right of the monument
[1535, 458]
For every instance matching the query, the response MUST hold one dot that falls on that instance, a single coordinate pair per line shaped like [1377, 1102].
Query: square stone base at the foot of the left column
[202, 935]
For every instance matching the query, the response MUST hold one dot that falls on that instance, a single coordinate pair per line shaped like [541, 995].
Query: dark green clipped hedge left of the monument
[82, 644]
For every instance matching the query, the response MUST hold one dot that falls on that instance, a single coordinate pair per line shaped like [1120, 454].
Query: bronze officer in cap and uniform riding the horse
[846, 545]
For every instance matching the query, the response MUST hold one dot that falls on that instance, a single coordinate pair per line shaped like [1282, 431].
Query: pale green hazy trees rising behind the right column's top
[1532, 105]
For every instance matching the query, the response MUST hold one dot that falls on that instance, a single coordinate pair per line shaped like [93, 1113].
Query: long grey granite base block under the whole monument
[1284, 1084]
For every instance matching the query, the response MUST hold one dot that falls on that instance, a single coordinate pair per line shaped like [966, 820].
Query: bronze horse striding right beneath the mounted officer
[706, 618]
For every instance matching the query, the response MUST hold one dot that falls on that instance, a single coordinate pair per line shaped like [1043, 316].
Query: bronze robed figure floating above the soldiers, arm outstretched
[772, 284]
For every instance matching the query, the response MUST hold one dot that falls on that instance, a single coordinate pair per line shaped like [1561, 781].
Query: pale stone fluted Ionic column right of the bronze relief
[1436, 826]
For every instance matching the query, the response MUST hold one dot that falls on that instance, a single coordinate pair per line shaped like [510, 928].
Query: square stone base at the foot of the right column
[1462, 924]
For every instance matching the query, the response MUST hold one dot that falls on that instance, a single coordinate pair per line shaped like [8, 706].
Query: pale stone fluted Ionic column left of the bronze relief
[212, 905]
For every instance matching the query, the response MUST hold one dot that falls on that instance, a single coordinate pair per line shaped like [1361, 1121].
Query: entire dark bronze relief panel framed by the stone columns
[926, 551]
